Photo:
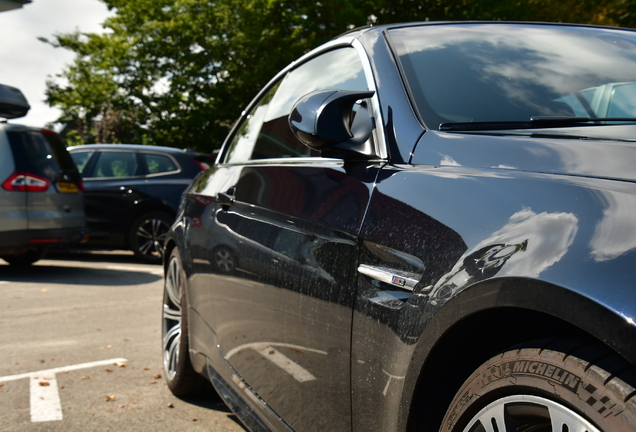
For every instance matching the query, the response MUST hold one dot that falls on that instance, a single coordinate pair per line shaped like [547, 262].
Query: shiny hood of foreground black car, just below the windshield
[605, 152]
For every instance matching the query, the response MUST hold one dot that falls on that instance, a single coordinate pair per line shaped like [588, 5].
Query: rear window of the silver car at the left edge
[40, 152]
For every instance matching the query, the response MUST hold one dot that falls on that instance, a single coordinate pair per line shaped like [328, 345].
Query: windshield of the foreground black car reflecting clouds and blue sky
[485, 72]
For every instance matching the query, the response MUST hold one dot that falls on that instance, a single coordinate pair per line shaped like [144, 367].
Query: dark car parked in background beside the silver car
[133, 192]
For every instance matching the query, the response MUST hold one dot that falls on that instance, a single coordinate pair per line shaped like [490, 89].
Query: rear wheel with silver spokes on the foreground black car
[181, 377]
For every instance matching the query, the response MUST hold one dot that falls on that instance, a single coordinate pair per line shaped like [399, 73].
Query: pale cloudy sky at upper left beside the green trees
[26, 63]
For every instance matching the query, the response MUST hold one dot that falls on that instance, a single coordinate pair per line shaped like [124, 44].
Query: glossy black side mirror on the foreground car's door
[335, 122]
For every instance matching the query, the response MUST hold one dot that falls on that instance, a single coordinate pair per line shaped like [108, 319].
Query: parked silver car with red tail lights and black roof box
[41, 191]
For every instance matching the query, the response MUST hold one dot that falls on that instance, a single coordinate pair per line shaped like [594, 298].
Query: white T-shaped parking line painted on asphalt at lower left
[45, 397]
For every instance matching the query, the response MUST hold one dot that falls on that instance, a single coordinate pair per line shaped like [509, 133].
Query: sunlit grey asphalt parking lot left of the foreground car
[80, 350]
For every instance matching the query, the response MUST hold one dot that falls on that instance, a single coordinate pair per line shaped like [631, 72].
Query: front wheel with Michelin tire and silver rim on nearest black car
[578, 386]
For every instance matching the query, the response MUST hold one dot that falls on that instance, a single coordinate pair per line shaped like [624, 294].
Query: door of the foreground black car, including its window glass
[283, 312]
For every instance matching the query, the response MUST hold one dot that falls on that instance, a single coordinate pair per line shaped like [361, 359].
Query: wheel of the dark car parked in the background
[148, 234]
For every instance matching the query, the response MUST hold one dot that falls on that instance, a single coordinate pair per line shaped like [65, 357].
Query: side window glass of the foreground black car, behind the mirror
[266, 133]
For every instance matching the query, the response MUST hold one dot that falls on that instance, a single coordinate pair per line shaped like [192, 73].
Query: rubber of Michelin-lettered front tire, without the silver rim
[545, 373]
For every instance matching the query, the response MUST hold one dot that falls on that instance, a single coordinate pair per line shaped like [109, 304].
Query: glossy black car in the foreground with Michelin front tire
[423, 227]
